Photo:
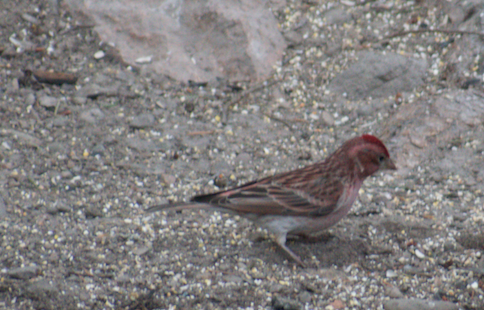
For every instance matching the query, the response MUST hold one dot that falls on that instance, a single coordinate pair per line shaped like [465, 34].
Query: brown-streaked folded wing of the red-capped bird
[275, 199]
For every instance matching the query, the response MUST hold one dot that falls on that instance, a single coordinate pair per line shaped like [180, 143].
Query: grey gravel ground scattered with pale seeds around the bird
[79, 164]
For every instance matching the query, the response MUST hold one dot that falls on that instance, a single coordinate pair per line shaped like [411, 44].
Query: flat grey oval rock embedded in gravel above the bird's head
[379, 75]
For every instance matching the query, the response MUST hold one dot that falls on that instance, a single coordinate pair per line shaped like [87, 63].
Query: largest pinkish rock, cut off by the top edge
[197, 40]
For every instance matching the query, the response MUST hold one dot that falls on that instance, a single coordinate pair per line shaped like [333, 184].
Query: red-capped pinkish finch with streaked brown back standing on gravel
[304, 201]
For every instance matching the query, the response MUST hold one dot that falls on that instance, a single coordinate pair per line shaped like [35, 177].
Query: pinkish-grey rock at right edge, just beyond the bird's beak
[443, 134]
